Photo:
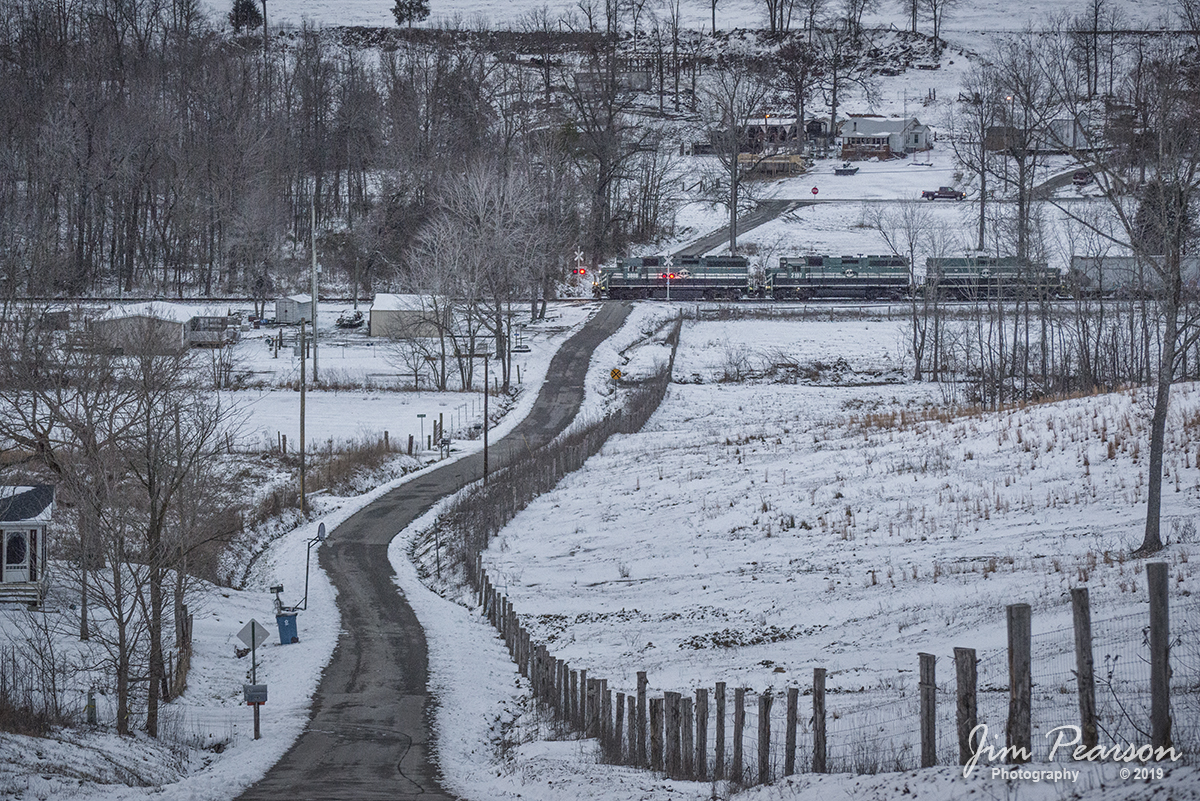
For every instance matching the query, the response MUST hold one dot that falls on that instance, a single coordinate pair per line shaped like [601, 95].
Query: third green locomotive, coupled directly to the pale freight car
[975, 278]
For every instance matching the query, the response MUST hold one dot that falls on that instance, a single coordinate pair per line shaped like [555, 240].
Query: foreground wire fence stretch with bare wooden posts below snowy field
[764, 736]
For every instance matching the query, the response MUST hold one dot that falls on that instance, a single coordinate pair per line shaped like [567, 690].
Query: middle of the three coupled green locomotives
[868, 278]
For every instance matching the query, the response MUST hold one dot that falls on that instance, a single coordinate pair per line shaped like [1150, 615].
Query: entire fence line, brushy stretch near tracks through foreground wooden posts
[754, 738]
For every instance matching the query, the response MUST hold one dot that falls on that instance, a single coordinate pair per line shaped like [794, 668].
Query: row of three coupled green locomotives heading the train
[813, 278]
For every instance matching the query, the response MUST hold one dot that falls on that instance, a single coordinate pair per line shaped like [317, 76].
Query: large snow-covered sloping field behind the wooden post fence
[757, 531]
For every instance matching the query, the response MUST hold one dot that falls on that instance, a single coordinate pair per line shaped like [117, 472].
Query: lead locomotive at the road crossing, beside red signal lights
[687, 279]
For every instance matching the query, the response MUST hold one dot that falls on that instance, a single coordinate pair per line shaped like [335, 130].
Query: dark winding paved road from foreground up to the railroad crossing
[369, 737]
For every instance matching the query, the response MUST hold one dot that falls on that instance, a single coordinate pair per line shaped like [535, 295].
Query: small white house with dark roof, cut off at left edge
[25, 516]
